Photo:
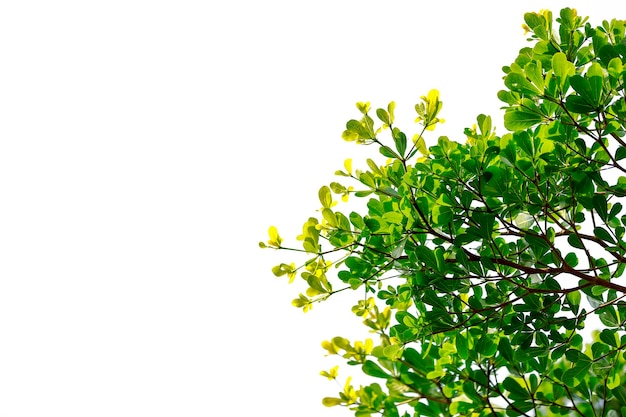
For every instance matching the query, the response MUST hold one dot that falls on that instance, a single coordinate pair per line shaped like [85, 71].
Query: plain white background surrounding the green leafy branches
[146, 147]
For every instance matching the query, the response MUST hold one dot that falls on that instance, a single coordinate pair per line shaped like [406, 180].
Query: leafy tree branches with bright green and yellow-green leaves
[481, 261]
